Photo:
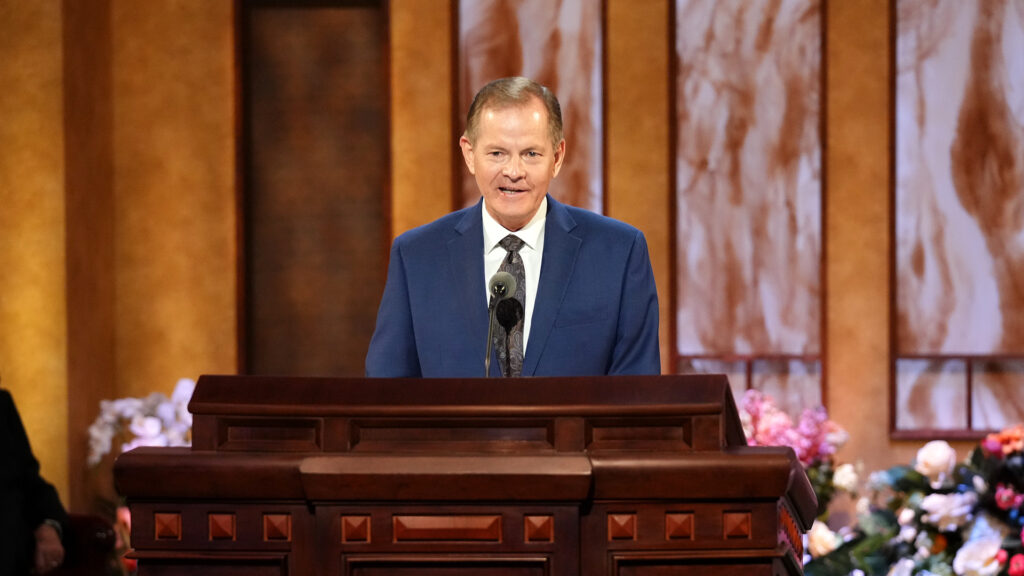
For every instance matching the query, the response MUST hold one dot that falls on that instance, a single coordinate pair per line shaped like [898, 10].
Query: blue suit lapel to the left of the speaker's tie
[466, 260]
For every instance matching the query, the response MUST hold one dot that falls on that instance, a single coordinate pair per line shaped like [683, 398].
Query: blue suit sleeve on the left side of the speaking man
[393, 350]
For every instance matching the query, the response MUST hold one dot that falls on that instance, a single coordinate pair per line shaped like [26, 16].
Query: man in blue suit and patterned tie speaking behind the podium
[586, 290]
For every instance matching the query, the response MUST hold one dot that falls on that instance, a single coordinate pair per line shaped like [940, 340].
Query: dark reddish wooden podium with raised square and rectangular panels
[639, 476]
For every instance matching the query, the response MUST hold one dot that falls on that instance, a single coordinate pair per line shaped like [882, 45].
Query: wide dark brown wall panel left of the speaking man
[317, 171]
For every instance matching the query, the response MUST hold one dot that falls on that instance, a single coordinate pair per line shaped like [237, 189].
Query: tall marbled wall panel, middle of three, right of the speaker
[749, 177]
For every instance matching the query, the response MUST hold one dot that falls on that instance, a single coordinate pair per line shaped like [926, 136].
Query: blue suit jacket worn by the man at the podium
[596, 310]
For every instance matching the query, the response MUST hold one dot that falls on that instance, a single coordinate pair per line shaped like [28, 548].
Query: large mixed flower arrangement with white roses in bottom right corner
[938, 517]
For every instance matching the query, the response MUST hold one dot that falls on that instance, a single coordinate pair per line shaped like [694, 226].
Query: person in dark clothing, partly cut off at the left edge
[32, 518]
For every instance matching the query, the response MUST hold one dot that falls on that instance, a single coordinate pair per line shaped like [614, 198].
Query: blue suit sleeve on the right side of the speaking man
[637, 350]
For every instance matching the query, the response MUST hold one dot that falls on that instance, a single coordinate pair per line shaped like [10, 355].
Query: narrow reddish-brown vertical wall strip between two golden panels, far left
[91, 253]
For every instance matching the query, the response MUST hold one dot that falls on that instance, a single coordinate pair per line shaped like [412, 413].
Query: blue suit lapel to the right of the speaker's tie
[561, 252]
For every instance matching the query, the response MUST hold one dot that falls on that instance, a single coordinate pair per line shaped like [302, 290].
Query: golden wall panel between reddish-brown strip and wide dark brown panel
[175, 192]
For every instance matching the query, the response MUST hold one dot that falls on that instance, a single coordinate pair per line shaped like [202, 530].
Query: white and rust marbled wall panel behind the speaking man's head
[558, 44]
